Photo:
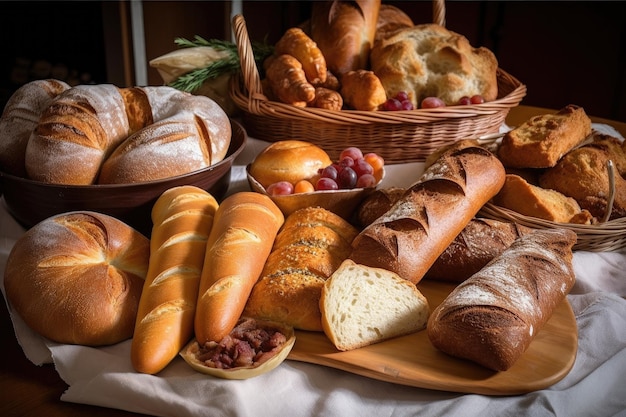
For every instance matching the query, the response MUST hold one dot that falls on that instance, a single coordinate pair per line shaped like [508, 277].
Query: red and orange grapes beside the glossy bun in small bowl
[353, 170]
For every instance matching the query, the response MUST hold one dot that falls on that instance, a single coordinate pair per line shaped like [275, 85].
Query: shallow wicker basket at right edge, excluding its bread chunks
[604, 237]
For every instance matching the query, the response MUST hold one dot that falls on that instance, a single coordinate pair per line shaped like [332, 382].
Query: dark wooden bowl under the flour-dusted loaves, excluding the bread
[30, 202]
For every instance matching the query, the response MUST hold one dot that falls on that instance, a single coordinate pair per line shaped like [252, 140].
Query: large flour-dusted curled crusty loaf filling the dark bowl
[82, 127]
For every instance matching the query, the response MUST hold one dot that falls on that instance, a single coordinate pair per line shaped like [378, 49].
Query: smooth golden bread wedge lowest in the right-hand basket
[543, 203]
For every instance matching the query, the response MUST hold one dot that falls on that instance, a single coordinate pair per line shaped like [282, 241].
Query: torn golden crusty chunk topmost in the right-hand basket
[542, 140]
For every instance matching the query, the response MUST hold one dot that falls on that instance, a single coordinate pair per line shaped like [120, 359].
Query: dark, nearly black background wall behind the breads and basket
[564, 51]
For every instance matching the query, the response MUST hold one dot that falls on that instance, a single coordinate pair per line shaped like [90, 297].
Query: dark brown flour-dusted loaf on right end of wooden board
[493, 316]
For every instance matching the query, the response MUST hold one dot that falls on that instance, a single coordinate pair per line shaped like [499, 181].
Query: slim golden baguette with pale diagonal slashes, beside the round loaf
[182, 219]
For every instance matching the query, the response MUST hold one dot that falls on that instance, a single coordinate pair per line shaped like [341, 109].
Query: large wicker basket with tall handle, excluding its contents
[399, 137]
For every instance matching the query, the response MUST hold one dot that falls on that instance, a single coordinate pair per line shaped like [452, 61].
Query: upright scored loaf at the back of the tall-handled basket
[344, 31]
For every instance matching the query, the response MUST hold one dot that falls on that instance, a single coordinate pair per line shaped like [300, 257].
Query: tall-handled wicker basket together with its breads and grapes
[347, 77]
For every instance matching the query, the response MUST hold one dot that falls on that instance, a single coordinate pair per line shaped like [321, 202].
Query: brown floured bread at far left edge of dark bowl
[20, 117]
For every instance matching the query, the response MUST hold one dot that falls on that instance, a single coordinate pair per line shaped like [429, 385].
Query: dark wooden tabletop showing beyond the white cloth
[29, 390]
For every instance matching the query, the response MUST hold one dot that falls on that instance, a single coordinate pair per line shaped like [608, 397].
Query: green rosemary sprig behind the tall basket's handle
[191, 81]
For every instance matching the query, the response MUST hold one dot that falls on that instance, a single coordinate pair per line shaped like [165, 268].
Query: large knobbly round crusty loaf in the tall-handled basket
[429, 60]
